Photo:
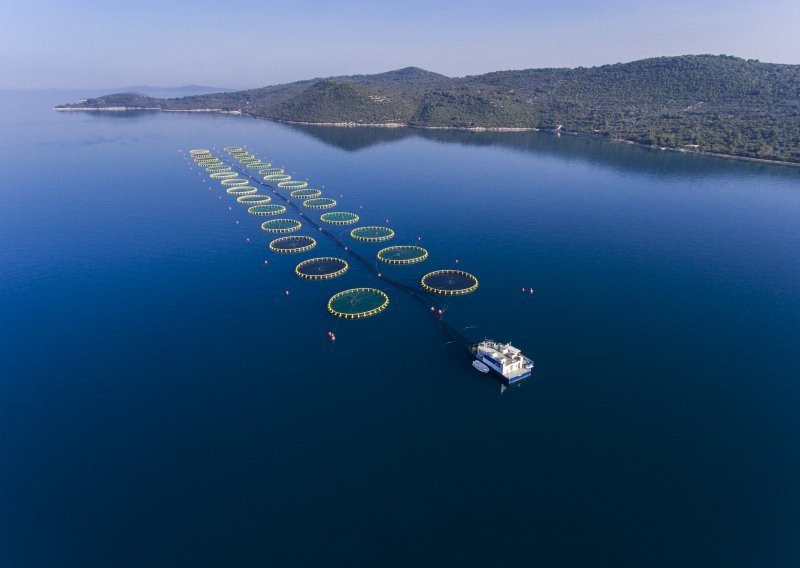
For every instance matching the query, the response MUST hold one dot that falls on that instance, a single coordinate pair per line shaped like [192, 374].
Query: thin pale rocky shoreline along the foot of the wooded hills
[463, 128]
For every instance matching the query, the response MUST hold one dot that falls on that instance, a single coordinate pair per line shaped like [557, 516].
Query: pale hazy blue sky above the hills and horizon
[246, 43]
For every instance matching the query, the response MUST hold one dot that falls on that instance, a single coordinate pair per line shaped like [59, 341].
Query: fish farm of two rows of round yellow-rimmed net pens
[353, 303]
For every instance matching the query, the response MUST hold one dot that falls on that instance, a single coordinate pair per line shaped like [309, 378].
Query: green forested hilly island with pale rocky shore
[704, 103]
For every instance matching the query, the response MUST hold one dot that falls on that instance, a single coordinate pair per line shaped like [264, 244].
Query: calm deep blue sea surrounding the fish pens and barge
[164, 403]
